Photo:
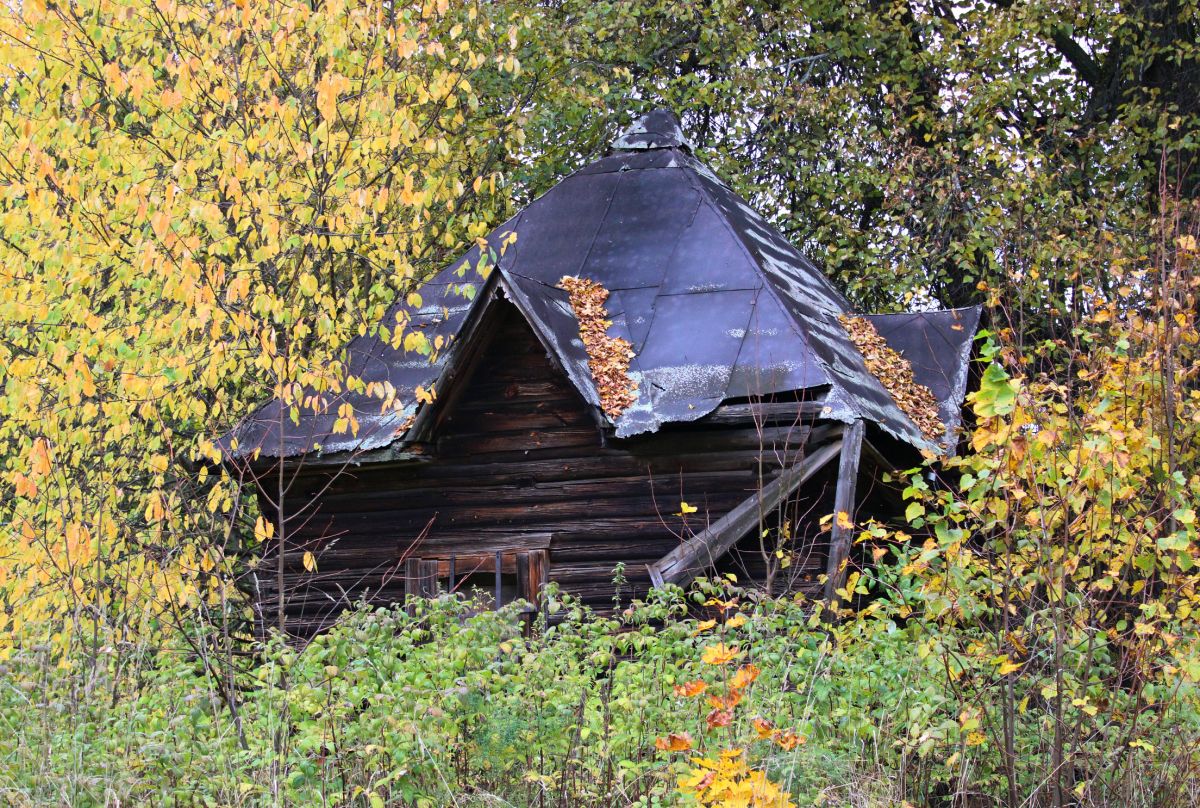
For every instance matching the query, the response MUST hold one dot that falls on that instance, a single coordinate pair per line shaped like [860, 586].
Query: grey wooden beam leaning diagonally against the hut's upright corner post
[683, 564]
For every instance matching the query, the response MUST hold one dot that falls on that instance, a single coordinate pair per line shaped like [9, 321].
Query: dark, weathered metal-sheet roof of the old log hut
[716, 303]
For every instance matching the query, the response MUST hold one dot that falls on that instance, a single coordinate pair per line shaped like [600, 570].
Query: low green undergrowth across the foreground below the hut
[445, 709]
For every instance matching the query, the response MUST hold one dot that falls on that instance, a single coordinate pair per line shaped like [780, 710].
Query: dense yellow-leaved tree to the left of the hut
[194, 201]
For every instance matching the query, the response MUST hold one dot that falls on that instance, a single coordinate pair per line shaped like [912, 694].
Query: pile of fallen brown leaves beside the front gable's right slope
[608, 356]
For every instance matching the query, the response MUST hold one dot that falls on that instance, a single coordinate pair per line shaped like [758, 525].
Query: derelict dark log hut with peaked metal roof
[637, 370]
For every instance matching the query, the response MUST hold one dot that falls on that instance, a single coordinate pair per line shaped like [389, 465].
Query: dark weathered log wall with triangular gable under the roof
[518, 462]
